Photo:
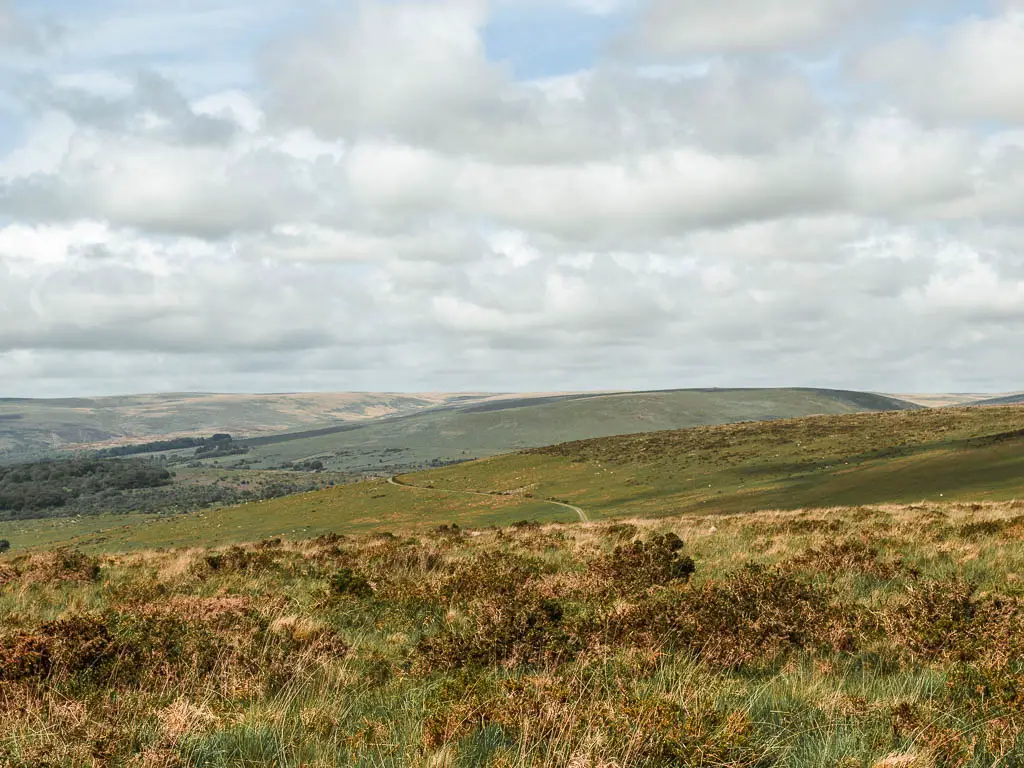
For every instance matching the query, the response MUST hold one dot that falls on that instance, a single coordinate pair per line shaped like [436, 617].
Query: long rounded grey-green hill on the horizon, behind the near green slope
[495, 429]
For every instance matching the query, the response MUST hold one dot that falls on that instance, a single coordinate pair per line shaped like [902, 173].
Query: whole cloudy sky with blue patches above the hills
[510, 195]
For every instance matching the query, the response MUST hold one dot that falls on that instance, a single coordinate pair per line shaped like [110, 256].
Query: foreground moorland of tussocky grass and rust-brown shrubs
[874, 636]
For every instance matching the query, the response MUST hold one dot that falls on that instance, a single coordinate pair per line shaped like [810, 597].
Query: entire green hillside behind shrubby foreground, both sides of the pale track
[957, 454]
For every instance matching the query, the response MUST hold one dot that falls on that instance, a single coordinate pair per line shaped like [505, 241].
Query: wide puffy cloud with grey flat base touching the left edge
[150, 159]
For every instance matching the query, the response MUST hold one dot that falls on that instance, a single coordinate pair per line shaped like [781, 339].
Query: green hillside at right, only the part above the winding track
[861, 459]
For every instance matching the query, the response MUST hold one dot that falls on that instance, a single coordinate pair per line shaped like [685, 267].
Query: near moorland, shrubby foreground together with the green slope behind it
[830, 591]
